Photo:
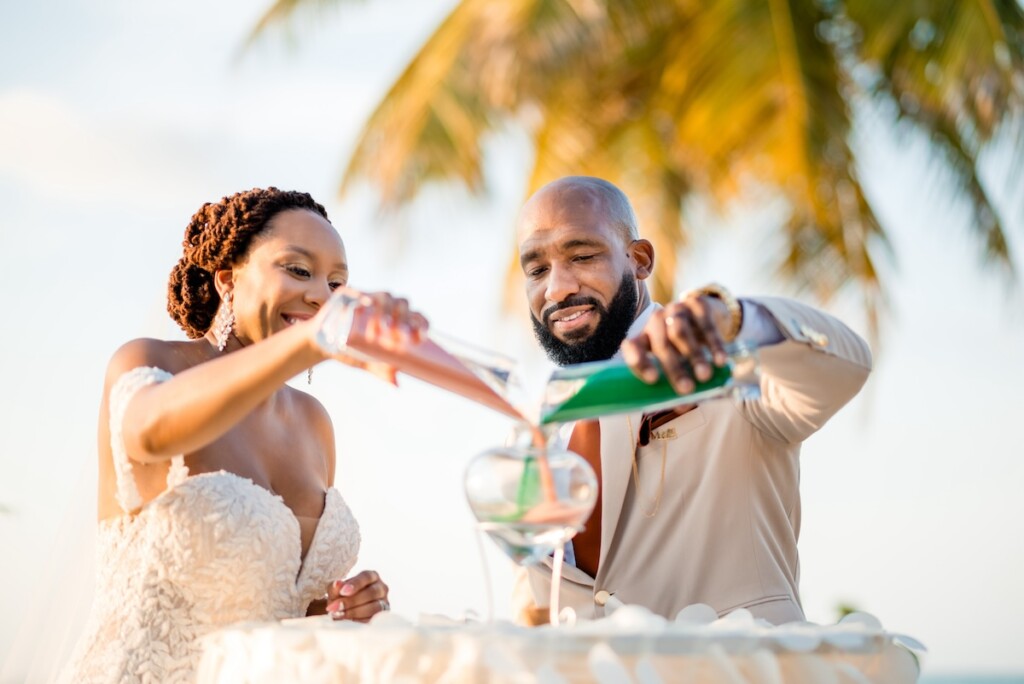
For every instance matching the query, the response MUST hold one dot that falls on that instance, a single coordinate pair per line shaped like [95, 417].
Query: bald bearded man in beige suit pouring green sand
[701, 504]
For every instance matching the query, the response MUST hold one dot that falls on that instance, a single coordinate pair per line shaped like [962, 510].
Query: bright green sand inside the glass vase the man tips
[610, 388]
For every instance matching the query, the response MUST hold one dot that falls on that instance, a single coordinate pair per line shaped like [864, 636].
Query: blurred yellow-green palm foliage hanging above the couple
[714, 99]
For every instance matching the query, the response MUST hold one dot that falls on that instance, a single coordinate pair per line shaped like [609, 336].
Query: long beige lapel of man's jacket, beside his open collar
[616, 467]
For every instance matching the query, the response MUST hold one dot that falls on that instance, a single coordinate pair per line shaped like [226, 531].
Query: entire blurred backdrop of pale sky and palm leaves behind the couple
[864, 156]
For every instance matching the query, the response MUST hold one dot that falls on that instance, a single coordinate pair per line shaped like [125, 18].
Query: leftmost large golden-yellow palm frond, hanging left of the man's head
[479, 62]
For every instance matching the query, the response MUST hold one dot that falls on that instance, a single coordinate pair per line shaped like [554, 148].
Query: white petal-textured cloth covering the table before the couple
[632, 646]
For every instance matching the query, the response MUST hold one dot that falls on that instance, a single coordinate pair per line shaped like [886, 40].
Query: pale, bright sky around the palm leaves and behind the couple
[118, 120]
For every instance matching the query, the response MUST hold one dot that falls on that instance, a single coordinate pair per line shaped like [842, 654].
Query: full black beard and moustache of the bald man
[614, 324]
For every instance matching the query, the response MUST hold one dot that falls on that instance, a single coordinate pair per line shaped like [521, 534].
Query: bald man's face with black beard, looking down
[581, 280]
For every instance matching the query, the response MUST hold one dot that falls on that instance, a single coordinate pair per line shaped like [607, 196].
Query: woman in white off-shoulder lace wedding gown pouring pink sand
[216, 478]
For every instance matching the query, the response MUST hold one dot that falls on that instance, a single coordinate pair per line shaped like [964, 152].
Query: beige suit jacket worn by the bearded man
[727, 527]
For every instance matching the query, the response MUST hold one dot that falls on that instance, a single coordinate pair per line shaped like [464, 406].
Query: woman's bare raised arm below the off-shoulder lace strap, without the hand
[201, 404]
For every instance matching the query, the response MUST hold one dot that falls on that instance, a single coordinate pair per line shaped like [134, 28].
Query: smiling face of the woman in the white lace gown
[290, 271]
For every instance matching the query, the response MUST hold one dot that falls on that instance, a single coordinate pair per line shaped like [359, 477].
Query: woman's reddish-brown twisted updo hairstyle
[219, 237]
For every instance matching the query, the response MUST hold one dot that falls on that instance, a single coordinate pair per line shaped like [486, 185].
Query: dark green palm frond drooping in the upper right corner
[956, 72]
